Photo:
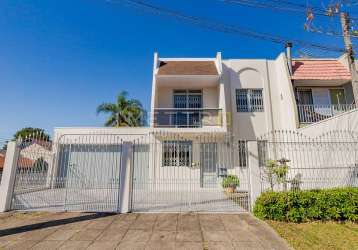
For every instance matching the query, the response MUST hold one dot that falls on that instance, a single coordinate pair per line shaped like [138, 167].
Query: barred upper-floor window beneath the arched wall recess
[249, 100]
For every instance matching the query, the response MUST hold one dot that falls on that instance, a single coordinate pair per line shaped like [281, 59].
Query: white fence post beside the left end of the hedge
[254, 171]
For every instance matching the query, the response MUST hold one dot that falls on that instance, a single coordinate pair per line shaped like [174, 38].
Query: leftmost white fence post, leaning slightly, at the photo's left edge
[8, 176]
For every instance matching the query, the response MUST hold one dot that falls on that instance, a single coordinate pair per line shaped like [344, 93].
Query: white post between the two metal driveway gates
[125, 180]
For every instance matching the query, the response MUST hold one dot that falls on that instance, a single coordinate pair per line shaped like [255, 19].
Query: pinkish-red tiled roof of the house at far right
[322, 69]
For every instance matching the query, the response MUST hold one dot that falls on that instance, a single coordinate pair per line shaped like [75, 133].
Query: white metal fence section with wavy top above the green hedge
[328, 161]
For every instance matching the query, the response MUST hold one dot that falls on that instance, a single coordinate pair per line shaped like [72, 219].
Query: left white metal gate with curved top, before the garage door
[77, 173]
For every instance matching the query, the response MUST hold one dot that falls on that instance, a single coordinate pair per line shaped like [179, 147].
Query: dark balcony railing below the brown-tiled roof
[187, 118]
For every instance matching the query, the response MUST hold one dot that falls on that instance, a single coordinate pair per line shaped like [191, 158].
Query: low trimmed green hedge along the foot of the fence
[327, 204]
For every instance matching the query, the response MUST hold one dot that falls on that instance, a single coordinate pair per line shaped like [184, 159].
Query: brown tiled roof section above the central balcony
[187, 68]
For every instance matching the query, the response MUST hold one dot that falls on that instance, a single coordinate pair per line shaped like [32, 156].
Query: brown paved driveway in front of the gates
[135, 231]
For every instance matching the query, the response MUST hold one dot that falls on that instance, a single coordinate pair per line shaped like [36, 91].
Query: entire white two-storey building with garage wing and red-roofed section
[206, 120]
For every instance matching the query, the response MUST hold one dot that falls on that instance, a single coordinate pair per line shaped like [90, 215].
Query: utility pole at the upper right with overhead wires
[345, 22]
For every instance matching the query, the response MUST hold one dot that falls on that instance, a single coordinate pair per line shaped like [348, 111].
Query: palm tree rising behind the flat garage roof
[124, 113]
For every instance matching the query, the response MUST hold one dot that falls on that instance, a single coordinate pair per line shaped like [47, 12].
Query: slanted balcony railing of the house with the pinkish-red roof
[315, 113]
